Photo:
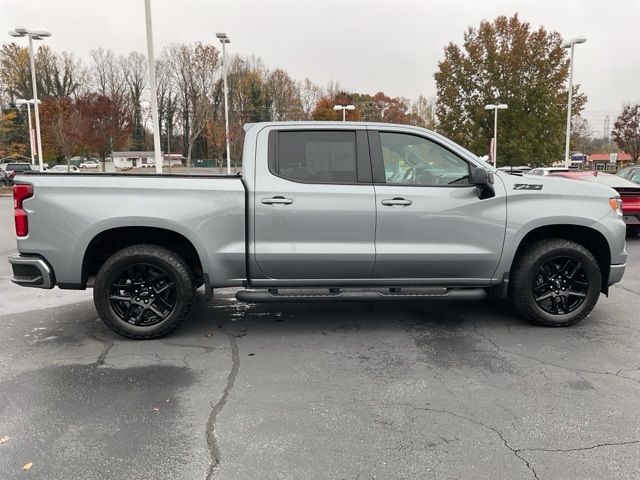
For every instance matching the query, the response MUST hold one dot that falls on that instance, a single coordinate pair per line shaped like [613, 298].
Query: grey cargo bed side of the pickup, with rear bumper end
[70, 210]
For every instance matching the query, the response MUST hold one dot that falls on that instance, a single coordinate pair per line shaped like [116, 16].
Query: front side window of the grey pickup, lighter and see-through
[413, 160]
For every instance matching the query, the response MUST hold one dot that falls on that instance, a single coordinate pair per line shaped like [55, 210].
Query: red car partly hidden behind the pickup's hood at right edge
[629, 193]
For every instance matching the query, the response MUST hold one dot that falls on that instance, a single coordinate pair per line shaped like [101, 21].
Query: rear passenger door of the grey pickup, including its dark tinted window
[314, 206]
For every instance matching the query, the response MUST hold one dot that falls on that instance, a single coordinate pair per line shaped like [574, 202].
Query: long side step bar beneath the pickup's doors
[367, 295]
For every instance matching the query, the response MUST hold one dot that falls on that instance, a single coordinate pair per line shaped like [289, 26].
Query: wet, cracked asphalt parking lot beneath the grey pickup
[345, 391]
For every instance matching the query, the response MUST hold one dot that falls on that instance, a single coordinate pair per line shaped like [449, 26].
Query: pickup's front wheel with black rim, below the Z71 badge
[555, 283]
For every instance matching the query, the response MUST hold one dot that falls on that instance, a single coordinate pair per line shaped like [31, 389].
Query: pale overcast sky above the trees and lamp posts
[367, 45]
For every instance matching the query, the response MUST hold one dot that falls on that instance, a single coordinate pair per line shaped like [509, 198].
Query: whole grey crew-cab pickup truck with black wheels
[322, 212]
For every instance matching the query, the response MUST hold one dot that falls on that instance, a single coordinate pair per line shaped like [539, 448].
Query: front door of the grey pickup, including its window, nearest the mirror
[431, 224]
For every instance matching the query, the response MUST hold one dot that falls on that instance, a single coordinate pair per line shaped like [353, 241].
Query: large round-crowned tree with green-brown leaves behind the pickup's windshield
[506, 61]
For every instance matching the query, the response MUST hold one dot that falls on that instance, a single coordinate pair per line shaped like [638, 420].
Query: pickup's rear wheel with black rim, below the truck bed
[144, 291]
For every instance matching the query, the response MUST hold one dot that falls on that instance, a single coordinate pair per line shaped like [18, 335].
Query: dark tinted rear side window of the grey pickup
[316, 157]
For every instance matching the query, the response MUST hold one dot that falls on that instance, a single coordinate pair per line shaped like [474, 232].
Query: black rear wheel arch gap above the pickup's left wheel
[108, 242]
